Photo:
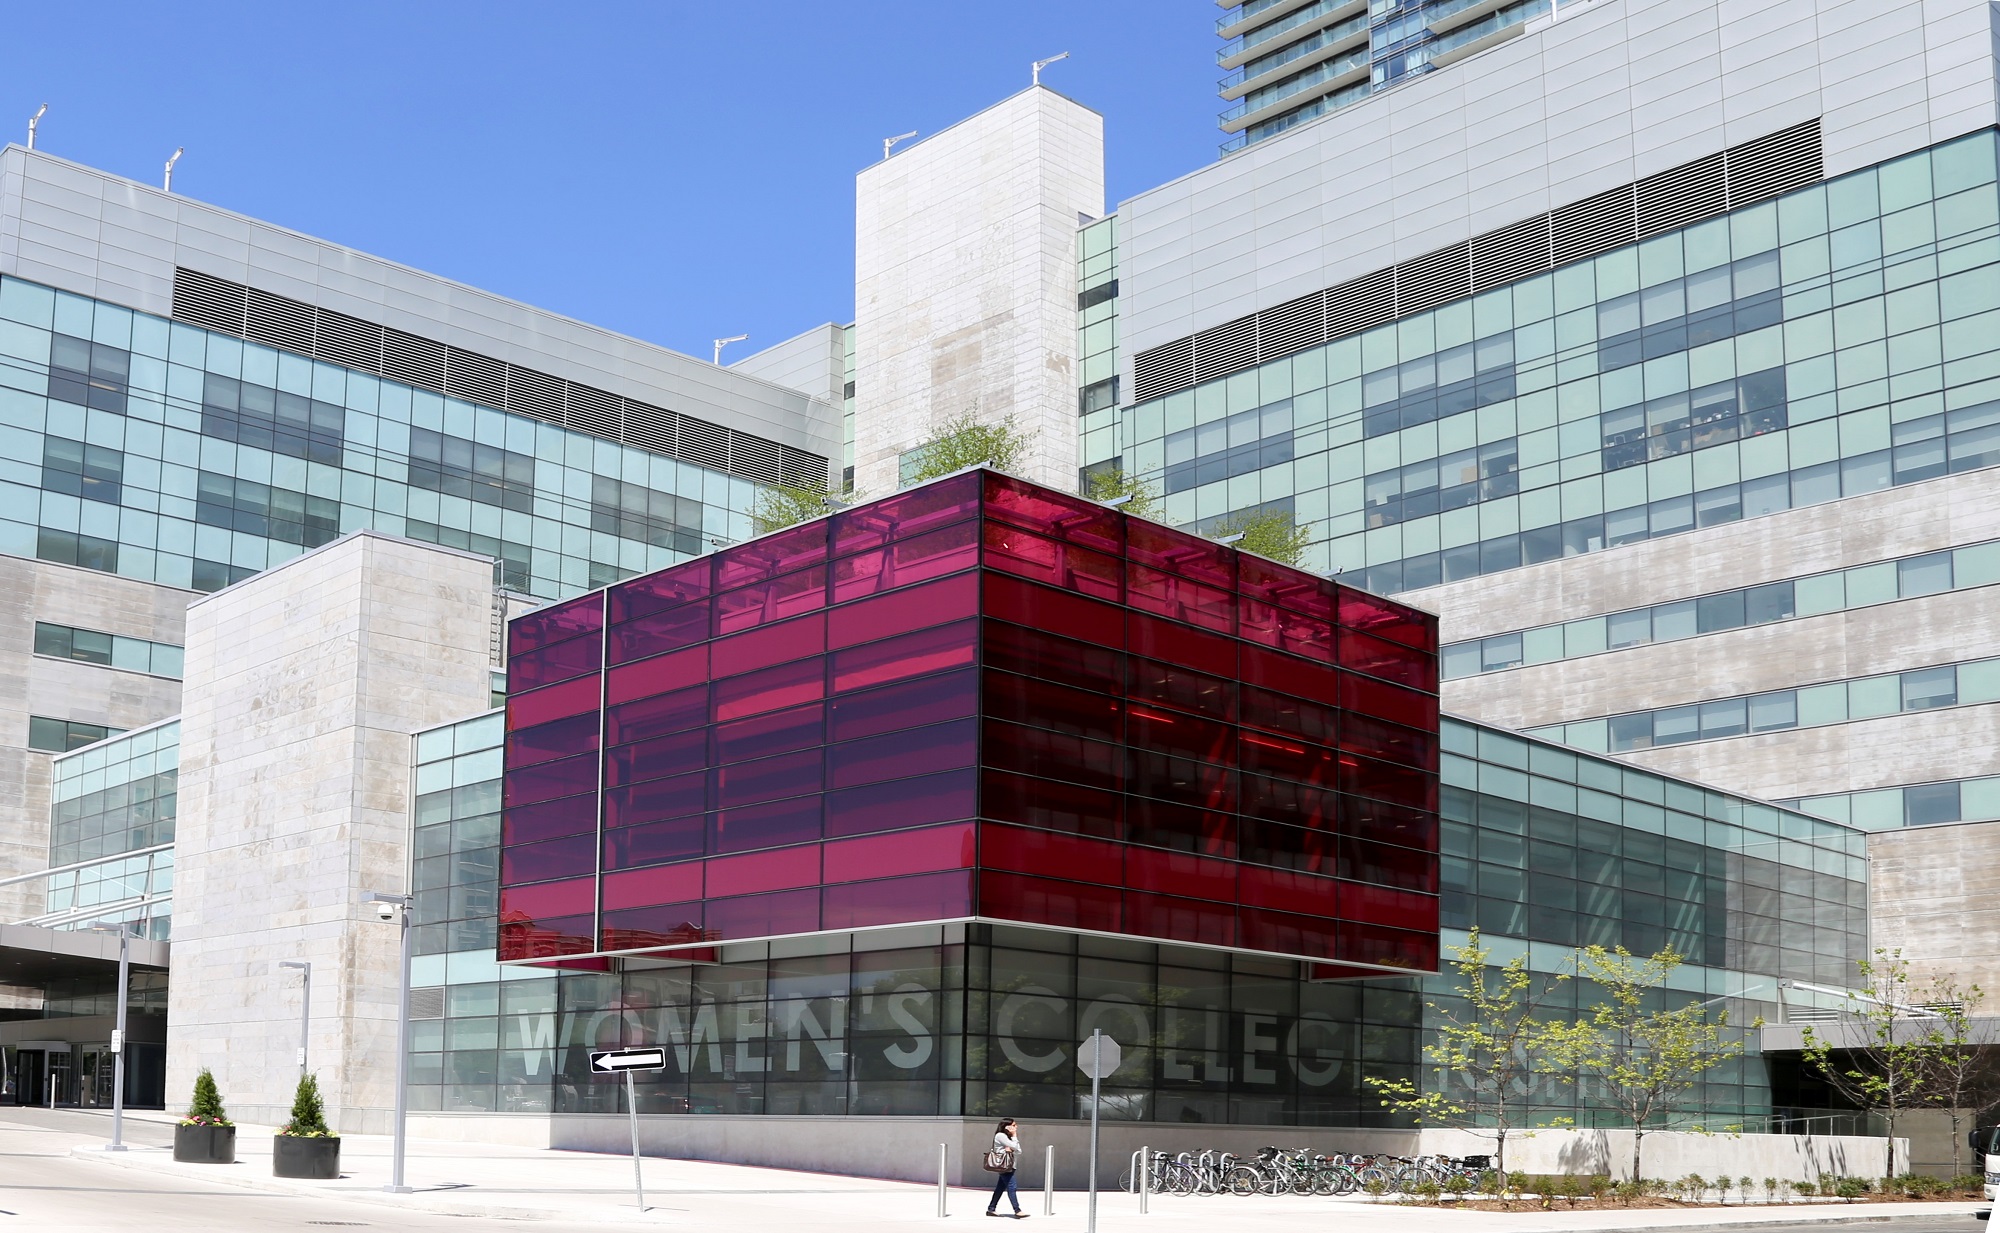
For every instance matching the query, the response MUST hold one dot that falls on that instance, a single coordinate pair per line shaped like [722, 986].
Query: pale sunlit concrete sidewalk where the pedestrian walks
[491, 1182]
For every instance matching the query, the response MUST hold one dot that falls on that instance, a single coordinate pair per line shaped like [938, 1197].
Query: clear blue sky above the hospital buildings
[673, 171]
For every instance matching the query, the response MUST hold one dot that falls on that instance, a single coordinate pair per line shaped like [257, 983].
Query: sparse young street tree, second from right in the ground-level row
[1885, 1052]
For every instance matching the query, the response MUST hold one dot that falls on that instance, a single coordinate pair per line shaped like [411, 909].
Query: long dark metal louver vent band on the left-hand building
[325, 335]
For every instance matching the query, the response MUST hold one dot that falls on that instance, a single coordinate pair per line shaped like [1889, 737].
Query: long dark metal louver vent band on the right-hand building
[1679, 197]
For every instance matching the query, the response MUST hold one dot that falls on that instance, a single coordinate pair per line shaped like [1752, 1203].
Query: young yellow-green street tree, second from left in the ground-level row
[1641, 1058]
